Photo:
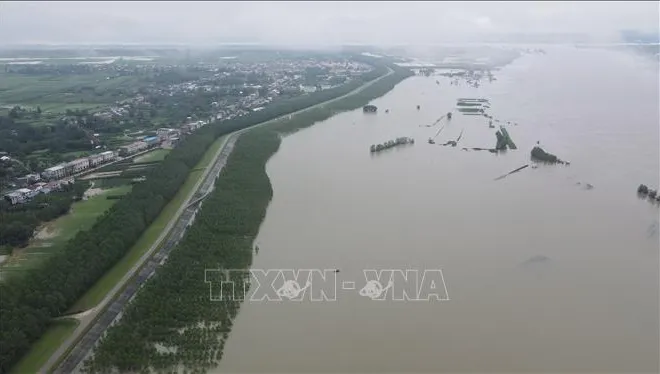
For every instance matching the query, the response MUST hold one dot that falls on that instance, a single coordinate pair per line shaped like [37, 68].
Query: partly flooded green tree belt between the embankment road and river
[172, 323]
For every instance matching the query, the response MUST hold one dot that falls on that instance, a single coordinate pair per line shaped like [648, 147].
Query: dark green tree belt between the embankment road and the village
[28, 305]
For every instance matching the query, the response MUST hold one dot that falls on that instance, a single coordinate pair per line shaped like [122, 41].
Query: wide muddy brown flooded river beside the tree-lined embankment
[591, 306]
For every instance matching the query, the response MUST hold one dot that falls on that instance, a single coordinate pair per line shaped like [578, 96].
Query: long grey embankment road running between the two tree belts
[95, 321]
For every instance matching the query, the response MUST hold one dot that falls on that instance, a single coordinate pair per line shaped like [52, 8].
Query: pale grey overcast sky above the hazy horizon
[309, 22]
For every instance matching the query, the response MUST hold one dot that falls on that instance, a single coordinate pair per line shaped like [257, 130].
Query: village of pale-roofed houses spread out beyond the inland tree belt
[237, 88]
